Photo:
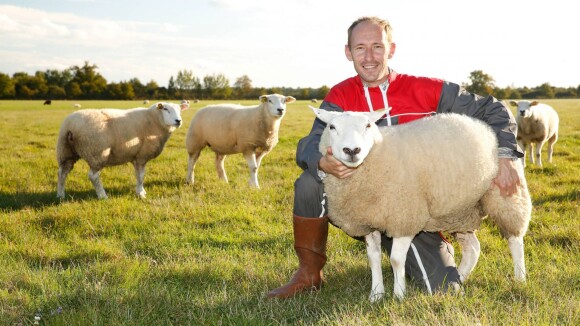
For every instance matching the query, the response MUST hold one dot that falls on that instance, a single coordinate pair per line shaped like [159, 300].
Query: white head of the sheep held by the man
[351, 135]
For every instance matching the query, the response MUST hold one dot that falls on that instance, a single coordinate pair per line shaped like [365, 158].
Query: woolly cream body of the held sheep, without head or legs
[427, 170]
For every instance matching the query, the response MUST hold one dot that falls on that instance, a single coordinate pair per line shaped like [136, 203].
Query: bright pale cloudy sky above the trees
[291, 43]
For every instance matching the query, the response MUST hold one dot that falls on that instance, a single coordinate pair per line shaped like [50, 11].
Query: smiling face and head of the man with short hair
[369, 51]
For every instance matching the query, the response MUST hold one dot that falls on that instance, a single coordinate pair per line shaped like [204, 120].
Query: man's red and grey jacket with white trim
[407, 98]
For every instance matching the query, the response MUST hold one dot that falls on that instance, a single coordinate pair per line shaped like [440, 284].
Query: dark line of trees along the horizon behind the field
[85, 82]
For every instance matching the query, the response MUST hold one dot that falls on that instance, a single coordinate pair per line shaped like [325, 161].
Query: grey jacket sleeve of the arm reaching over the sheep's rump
[456, 99]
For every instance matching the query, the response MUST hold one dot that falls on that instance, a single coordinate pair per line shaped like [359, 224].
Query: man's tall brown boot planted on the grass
[310, 244]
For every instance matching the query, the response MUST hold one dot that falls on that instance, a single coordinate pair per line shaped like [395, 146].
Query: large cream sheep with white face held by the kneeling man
[433, 174]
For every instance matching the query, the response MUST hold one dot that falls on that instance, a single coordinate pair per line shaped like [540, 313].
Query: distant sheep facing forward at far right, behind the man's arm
[537, 123]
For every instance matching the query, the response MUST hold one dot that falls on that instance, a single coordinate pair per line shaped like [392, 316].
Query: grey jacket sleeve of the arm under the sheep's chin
[307, 153]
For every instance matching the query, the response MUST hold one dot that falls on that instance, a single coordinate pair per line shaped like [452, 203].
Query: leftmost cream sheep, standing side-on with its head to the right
[108, 137]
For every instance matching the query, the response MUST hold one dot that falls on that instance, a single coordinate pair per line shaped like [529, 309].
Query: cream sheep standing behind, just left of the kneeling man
[232, 128]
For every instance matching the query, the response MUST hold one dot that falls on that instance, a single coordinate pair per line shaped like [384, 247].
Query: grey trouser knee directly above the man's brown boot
[309, 197]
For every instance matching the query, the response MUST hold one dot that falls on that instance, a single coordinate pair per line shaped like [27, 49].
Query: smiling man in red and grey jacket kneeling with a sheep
[430, 260]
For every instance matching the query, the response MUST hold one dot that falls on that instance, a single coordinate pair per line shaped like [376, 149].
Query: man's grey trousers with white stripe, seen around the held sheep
[430, 263]
